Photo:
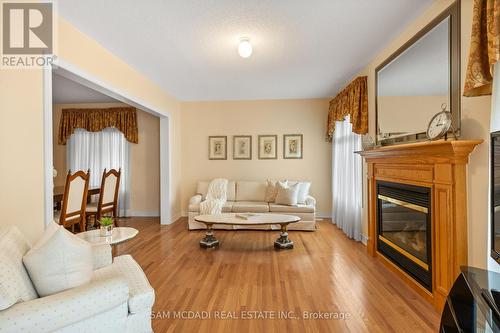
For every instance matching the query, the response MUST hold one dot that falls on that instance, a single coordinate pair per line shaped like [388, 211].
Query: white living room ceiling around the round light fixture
[302, 48]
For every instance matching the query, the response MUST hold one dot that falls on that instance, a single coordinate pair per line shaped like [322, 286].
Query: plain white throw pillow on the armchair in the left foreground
[59, 262]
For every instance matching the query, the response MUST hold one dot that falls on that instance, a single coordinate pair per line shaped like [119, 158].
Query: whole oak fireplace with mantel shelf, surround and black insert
[440, 170]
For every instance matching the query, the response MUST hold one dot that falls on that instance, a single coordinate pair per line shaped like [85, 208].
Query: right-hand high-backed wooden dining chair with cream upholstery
[108, 196]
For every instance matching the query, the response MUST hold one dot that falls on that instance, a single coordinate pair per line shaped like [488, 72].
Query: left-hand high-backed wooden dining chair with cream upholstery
[74, 201]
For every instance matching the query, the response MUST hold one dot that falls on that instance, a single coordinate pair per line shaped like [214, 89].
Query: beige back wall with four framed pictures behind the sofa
[308, 117]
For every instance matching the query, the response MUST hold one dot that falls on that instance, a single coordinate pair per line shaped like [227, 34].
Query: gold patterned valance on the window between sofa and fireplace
[352, 101]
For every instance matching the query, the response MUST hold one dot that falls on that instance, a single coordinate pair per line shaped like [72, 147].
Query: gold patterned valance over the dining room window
[123, 119]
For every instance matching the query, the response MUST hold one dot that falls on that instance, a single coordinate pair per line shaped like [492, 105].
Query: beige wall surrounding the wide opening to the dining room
[21, 105]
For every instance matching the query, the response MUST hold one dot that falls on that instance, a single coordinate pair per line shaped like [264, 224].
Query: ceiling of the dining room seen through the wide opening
[65, 91]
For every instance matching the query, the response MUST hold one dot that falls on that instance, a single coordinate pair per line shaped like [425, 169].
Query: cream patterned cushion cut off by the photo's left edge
[15, 284]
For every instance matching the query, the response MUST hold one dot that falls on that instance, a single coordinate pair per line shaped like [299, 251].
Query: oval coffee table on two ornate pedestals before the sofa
[283, 242]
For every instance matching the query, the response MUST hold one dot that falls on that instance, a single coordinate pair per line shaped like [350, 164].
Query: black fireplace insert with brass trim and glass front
[404, 228]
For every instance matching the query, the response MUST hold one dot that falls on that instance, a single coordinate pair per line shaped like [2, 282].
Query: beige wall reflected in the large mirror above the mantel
[394, 112]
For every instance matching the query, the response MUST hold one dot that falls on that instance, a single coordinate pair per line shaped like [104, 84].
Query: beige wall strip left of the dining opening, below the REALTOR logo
[21, 148]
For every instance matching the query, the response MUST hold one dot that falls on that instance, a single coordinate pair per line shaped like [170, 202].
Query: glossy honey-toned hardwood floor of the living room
[325, 274]
